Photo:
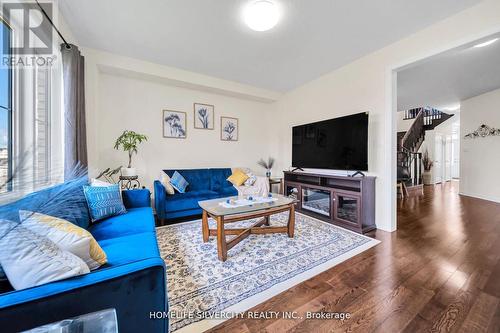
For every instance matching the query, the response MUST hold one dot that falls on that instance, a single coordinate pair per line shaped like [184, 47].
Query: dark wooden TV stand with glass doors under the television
[348, 202]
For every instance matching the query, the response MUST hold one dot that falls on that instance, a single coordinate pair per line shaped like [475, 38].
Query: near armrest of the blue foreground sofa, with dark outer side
[142, 281]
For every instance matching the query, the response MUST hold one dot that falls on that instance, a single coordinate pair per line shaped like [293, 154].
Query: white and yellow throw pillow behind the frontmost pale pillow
[67, 236]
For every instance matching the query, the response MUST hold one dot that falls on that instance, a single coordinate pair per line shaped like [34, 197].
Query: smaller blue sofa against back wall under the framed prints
[204, 184]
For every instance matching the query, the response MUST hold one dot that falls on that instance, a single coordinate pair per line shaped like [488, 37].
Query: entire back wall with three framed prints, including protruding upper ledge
[125, 93]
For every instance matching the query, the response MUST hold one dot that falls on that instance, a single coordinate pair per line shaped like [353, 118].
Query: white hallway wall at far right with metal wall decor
[480, 158]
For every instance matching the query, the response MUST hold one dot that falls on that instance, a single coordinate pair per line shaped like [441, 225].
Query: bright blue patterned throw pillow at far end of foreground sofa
[104, 202]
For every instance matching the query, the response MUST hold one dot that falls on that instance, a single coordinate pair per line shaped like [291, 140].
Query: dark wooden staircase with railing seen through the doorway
[409, 159]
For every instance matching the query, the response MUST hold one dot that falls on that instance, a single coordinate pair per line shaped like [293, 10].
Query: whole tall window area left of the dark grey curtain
[31, 118]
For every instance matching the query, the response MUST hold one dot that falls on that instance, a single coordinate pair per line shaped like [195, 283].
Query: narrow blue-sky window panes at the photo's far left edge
[5, 112]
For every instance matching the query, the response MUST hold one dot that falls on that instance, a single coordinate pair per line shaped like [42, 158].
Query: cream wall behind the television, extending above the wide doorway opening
[368, 85]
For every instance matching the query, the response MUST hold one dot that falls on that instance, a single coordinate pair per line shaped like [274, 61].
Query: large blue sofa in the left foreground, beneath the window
[133, 281]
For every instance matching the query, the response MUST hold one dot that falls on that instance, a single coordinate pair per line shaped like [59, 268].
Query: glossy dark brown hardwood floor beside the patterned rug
[440, 272]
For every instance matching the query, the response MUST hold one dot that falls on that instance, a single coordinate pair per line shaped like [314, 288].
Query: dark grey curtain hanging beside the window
[75, 137]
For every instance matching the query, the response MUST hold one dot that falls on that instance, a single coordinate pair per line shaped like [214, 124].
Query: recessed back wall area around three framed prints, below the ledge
[135, 104]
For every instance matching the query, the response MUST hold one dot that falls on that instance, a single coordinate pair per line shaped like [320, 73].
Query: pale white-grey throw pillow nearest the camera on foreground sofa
[30, 260]
